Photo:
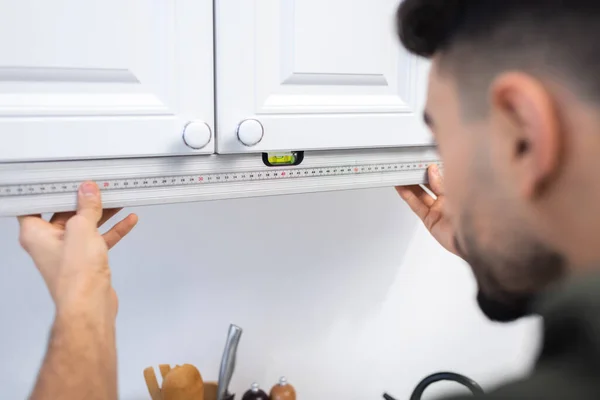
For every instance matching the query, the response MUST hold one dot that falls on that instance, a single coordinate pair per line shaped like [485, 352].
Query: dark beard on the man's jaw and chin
[511, 276]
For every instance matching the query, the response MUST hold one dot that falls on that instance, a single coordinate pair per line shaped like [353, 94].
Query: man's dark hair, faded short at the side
[477, 39]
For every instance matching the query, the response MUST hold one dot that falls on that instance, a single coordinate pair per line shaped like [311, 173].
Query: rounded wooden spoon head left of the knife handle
[183, 383]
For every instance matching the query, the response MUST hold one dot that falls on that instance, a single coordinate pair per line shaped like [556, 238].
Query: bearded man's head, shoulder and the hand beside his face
[514, 104]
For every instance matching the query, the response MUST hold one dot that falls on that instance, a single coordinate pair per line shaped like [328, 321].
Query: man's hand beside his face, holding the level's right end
[430, 210]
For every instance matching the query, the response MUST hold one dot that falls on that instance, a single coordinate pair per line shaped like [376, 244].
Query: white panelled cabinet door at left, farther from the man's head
[105, 78]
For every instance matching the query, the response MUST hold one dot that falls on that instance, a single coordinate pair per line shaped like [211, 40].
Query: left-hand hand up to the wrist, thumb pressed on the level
[71, 254]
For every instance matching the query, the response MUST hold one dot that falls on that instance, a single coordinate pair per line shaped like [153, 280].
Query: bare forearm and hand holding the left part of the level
[72, 256]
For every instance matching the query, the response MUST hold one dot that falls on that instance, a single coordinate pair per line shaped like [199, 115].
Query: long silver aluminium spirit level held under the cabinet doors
[51, 186]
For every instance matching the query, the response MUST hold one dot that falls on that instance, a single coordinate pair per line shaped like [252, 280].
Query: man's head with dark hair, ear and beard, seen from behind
[514, 104]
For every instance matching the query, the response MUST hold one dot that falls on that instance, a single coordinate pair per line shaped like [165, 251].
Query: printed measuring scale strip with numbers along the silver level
[212, 178]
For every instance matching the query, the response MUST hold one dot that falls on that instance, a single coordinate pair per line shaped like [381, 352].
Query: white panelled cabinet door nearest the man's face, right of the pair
[314, 74]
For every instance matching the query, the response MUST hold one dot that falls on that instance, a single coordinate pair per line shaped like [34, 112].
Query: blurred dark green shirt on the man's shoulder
[568, 366]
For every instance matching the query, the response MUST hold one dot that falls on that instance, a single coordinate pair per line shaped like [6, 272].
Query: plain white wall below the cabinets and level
[344, 293]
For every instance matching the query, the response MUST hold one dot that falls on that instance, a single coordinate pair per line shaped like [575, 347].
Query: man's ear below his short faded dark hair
[525, 104]
